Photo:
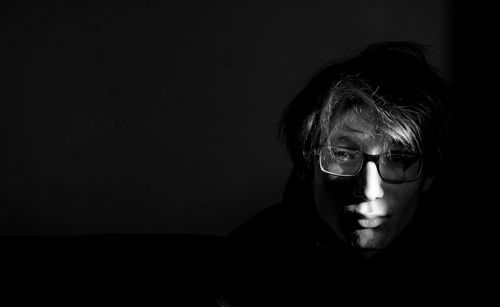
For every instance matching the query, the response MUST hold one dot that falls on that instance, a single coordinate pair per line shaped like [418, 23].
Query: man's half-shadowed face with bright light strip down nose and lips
[364, 211]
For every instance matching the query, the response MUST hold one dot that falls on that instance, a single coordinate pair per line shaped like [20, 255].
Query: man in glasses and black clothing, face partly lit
[358, 218]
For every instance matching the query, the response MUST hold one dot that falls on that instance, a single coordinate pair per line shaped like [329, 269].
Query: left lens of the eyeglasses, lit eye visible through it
[340, 161]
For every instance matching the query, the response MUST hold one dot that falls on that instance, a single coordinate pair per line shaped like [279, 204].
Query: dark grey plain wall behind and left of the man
[161, 116]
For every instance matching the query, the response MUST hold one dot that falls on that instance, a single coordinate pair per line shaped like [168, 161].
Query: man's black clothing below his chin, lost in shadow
[286, 255]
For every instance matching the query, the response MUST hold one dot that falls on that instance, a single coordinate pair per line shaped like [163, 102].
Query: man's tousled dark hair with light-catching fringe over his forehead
[389, 83]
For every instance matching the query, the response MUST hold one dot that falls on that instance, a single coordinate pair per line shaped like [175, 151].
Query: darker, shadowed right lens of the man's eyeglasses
[400, 166]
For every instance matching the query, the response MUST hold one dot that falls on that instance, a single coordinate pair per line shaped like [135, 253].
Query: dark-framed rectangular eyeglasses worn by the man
[392, 166]
